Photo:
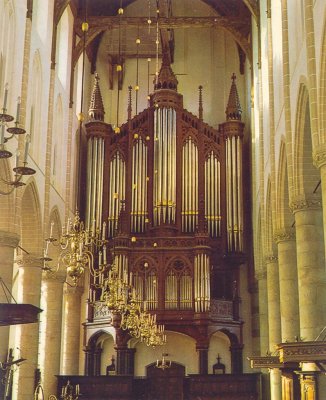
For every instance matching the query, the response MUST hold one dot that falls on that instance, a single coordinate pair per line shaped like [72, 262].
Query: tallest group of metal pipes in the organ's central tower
[164, 192]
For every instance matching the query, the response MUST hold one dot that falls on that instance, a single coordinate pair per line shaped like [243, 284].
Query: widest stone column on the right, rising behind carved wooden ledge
[311, 266]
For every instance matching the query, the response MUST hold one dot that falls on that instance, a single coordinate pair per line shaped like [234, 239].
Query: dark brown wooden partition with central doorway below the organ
[170, 384]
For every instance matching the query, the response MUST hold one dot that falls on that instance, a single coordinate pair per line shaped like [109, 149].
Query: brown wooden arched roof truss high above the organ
[234, 16]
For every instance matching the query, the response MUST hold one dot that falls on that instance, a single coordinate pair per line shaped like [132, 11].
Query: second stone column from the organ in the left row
[50, 331]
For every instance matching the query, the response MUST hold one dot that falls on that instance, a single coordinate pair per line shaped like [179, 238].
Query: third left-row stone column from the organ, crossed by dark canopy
[27, 336]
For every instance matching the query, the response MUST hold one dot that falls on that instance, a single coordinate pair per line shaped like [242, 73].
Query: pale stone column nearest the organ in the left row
[71, 331]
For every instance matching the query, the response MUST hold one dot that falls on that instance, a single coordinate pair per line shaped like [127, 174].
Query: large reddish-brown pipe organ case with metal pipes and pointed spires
[175, 185]
